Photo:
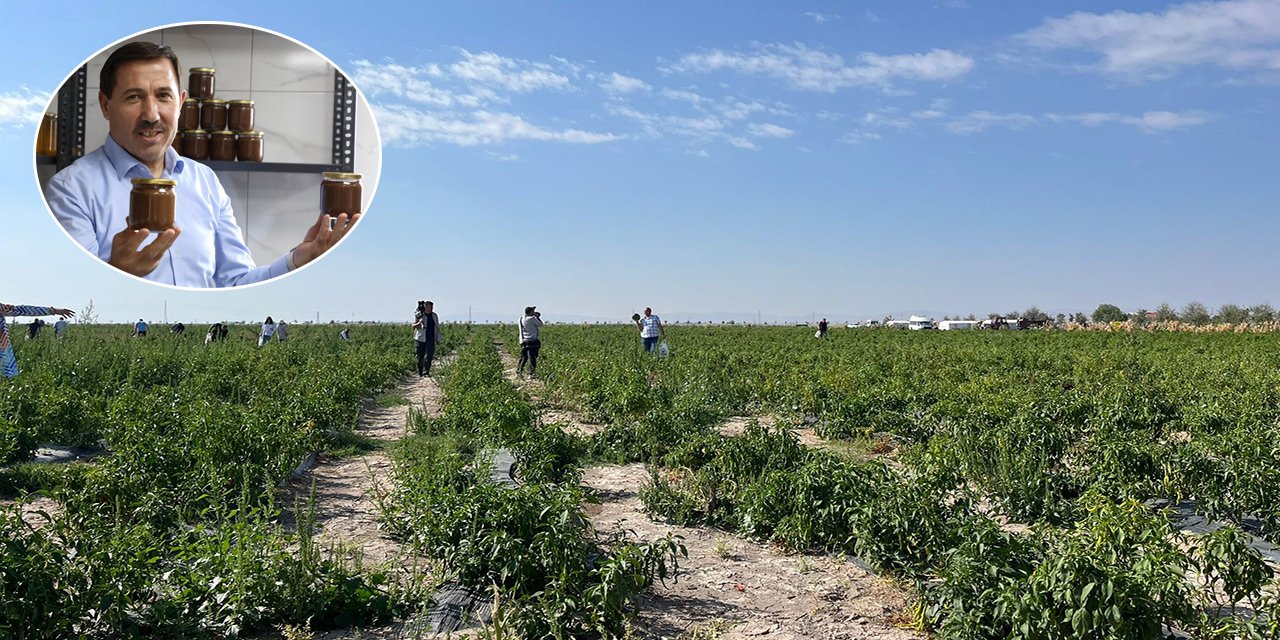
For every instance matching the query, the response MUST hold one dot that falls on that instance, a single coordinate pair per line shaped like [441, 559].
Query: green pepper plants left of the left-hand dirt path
[176, 532]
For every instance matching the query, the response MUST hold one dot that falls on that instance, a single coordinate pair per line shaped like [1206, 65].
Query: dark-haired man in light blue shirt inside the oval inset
[140, 98]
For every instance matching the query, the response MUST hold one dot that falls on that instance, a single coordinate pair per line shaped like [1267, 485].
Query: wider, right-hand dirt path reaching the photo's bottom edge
[729, 587]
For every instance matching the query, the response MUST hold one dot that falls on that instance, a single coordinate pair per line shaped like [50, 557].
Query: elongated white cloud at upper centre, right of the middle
[810, 70]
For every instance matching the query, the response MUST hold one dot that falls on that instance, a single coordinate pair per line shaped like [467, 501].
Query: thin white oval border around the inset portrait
[360, 97]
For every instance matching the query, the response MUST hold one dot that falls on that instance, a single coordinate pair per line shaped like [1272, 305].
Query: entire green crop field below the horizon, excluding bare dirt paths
[1008, 479]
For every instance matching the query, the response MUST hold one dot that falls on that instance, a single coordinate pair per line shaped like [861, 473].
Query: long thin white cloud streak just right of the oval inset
[405, 126]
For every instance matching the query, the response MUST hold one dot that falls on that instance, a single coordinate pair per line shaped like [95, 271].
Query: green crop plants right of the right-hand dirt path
[1020, 501]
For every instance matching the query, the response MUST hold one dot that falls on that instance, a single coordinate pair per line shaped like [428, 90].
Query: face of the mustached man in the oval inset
[143, 111]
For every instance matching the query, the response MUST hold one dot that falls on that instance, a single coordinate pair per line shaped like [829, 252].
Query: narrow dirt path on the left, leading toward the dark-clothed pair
[348, 490]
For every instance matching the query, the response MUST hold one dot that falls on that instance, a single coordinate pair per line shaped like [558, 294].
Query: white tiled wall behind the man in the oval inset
[292, 90]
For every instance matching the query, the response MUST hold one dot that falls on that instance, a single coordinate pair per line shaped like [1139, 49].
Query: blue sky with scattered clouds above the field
[842, 159]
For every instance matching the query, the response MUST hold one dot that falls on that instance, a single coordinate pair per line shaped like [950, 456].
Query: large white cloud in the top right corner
[1241, 35]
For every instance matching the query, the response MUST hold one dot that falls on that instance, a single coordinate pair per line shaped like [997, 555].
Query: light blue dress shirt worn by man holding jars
[92, 200]
